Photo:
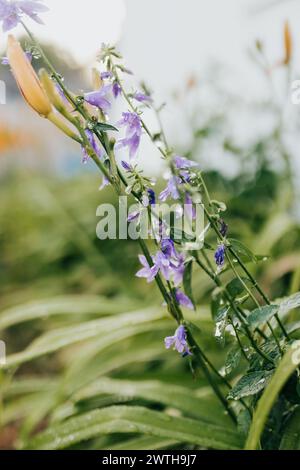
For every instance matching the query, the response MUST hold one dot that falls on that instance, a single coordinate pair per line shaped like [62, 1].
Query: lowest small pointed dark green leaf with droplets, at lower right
[250, 384]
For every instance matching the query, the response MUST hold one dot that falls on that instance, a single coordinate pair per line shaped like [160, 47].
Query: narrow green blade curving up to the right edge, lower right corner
[288, 364]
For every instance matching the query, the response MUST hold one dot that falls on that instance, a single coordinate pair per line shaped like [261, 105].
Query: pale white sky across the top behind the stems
[164, 41]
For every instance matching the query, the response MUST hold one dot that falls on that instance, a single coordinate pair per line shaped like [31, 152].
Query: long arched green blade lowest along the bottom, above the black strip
[137, 420]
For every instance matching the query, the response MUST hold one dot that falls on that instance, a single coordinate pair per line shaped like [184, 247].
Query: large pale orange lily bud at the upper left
[26, 78]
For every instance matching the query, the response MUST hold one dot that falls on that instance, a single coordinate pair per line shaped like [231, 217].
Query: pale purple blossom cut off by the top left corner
[12, 11]
